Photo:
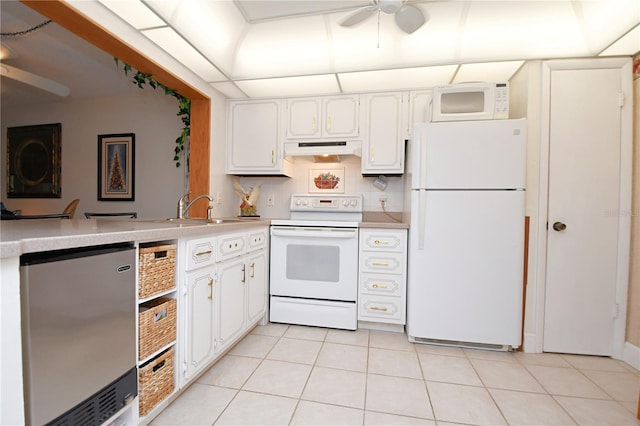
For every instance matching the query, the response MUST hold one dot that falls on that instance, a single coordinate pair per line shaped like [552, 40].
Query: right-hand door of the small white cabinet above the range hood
[341, 116]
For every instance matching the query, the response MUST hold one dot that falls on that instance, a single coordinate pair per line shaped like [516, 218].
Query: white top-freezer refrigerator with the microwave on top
[467, 208]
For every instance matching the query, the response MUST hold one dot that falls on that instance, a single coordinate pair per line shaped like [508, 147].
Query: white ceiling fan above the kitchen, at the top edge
[408, 17]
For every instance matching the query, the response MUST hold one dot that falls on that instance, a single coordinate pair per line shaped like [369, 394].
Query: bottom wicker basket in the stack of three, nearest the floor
[156, 381]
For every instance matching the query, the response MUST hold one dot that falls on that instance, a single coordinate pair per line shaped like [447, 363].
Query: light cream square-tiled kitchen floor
[296, 375]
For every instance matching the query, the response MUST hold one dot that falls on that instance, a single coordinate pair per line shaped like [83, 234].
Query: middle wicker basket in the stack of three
[157, 325]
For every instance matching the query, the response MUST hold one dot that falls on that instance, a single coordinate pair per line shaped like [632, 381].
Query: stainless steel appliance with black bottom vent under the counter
[78, 334]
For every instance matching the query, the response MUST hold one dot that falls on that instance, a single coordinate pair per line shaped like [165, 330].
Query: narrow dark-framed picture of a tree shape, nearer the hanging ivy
[116, 167]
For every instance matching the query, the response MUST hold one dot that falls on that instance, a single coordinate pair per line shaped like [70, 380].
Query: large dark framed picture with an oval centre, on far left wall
[33, 161]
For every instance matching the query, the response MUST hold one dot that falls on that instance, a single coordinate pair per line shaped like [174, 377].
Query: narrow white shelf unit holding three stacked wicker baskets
[157, 323]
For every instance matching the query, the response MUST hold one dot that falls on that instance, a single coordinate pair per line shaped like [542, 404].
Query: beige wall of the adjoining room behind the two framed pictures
[149, 114]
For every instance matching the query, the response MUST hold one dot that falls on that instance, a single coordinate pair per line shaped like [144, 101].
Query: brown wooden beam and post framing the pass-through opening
[68, 17]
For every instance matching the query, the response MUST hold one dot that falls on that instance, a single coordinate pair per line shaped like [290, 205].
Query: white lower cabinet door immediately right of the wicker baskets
[199, 338]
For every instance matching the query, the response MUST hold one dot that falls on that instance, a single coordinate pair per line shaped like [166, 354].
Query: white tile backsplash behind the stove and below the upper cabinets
[353, 183]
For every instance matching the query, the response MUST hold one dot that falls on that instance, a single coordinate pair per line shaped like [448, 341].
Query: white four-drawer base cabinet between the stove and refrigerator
[383, 276]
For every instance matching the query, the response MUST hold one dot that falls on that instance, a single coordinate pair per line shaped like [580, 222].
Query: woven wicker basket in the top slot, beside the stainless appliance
[157, 269]
